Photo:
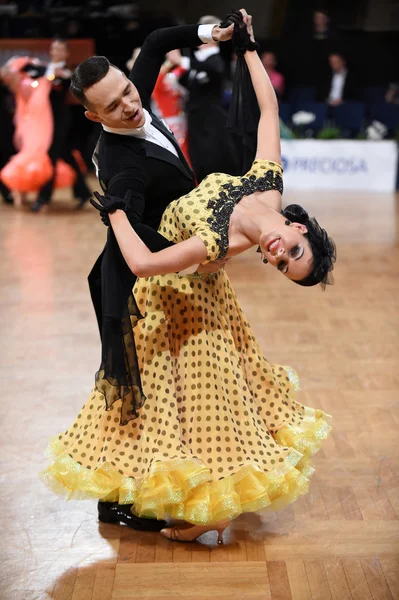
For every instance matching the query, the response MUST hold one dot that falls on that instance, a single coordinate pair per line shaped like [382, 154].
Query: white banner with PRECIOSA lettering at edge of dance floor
[347, 165]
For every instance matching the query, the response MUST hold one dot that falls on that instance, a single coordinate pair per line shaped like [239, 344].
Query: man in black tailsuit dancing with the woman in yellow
[136, 153]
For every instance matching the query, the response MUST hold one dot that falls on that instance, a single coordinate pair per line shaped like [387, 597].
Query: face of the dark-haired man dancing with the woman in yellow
[115, 102]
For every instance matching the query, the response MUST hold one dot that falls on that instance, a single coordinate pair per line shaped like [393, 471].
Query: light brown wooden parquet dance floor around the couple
[339, 542]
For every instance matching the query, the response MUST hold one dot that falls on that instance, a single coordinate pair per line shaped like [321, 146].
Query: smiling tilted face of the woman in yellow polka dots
[288, 250]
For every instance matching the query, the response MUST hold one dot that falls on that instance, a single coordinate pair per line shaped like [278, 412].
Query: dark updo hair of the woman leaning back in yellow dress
[322, 247]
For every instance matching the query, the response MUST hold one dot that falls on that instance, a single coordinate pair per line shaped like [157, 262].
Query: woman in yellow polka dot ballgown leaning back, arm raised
[219, 431]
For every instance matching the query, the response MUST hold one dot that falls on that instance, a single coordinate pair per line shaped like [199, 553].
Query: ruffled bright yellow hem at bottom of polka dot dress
[183, 488]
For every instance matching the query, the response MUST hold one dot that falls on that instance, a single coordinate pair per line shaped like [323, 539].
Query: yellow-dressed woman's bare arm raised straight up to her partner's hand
[268, 146]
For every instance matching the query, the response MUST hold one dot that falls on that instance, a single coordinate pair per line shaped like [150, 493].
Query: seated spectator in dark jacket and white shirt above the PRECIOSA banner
[341, 85]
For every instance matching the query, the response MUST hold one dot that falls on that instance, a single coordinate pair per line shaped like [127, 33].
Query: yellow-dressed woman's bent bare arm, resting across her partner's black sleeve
[144, 263]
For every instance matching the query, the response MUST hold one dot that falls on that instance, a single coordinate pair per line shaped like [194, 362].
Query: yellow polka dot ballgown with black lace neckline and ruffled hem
[221, 431]
